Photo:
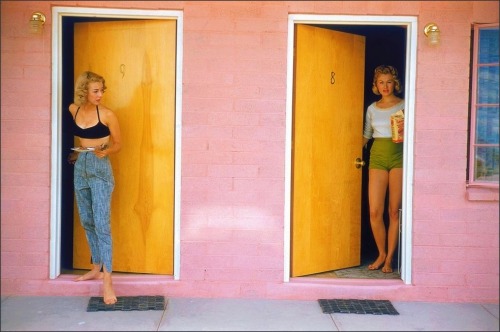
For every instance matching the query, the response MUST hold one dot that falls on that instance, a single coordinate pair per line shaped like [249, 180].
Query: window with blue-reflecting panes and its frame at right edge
[484, 142]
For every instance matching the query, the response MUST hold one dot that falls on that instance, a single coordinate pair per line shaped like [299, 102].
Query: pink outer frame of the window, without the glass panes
[474, 106]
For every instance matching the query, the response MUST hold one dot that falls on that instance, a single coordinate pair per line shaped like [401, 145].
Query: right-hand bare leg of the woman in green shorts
[395, 198]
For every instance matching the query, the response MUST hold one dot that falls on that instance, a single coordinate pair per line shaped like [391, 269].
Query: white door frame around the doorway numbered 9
[56, 123]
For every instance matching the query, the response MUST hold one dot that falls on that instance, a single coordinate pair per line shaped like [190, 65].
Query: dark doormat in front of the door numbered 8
[374, 307]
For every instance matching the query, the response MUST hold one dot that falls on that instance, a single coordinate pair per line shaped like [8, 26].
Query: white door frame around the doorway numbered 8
[410, 23]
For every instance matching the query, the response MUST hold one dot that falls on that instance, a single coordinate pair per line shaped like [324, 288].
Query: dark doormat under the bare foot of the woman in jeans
[128, 303]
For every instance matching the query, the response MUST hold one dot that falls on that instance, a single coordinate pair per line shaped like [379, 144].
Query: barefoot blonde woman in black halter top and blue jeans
[98, 132]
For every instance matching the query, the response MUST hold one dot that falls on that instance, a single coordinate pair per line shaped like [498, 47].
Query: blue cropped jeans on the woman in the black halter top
[94, 184]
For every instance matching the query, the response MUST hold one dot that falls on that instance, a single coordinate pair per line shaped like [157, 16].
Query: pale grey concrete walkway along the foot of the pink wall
[61, 313]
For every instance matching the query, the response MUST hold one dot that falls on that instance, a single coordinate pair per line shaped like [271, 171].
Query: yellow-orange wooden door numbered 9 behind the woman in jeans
[137, 60]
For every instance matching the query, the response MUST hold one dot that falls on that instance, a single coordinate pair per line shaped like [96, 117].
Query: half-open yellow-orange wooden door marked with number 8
[327, 139]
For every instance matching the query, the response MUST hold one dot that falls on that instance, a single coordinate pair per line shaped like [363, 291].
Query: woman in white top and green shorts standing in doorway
[386, 162]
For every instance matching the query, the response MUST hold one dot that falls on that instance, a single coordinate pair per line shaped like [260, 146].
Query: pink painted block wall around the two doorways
[233, 155]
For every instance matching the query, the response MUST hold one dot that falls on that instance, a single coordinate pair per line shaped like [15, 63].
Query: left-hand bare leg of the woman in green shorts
[377, 187]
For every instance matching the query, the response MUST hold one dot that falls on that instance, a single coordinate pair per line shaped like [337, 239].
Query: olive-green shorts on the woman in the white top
[386, 155]
